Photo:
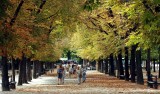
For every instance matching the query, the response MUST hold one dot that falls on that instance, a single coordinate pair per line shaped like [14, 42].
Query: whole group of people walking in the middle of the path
[77, 71]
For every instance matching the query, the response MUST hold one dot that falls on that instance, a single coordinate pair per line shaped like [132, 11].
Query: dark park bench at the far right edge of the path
[153, 83]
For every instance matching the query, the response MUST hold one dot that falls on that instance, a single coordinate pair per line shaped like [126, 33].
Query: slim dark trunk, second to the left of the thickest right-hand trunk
[126, 64]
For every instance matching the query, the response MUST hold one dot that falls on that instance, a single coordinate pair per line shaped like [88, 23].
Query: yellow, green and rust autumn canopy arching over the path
[43, 29]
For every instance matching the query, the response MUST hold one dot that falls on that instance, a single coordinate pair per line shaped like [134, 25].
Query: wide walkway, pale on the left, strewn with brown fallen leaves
[96, 83]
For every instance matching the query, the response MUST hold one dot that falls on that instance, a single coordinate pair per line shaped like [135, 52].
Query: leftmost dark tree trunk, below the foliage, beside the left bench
[5, 79]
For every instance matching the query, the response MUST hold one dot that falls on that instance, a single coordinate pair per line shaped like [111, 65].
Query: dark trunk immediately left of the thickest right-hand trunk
[133, 49]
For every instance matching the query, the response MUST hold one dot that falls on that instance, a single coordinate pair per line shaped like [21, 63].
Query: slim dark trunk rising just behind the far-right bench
[148, 66]
